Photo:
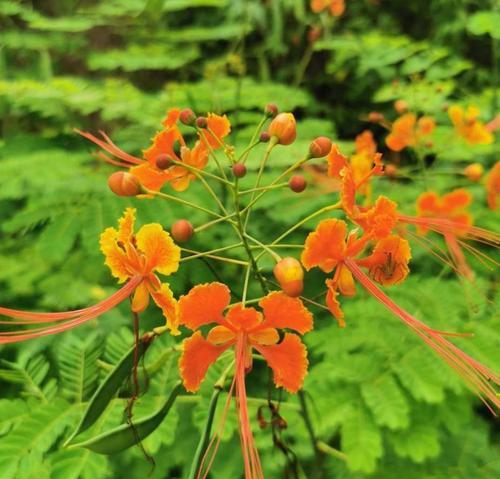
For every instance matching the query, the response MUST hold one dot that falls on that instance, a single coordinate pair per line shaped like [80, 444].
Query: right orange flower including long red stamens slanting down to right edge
[328, 249]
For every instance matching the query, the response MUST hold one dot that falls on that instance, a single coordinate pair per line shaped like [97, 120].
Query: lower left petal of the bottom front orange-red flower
[197, 356]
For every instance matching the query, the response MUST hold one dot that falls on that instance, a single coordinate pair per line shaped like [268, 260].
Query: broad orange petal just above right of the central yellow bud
[325, 246]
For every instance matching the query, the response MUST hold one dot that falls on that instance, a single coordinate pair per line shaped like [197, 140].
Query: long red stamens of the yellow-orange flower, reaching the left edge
[70, 319]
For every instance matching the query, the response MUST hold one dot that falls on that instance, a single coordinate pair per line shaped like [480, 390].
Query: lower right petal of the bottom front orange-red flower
[288, 360]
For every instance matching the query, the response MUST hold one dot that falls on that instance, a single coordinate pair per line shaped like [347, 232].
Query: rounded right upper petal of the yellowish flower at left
[162, 254]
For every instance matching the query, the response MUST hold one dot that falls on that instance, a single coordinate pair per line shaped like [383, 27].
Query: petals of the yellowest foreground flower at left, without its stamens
[144, 254]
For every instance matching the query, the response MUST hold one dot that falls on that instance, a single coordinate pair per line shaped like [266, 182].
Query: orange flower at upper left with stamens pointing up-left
[167, 144]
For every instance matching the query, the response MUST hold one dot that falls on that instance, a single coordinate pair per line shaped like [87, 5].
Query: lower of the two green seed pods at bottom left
[127, 435]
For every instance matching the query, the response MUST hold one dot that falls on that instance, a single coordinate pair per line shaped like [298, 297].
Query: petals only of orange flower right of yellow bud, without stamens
[329, 247]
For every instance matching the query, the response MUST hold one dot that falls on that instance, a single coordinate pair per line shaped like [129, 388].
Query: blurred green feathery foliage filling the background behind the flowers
[375, 392]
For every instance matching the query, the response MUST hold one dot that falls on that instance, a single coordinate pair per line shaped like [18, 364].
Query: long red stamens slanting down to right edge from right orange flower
[475, 374]
